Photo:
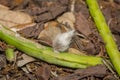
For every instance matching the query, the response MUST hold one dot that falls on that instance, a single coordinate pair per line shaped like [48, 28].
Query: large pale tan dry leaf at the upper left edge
[10, 18]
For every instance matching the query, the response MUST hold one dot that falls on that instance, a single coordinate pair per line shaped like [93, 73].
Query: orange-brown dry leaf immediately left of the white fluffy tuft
[51, 29]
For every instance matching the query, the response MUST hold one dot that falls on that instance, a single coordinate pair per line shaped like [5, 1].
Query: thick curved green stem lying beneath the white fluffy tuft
[45, 53]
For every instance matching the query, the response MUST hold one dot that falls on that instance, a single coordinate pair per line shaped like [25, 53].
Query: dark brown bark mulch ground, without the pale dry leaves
[44, 11]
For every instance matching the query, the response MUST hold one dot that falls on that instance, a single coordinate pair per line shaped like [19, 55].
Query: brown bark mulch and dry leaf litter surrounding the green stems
[41, 21]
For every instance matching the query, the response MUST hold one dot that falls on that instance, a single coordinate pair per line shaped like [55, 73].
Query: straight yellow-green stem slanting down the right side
[105, 33]
